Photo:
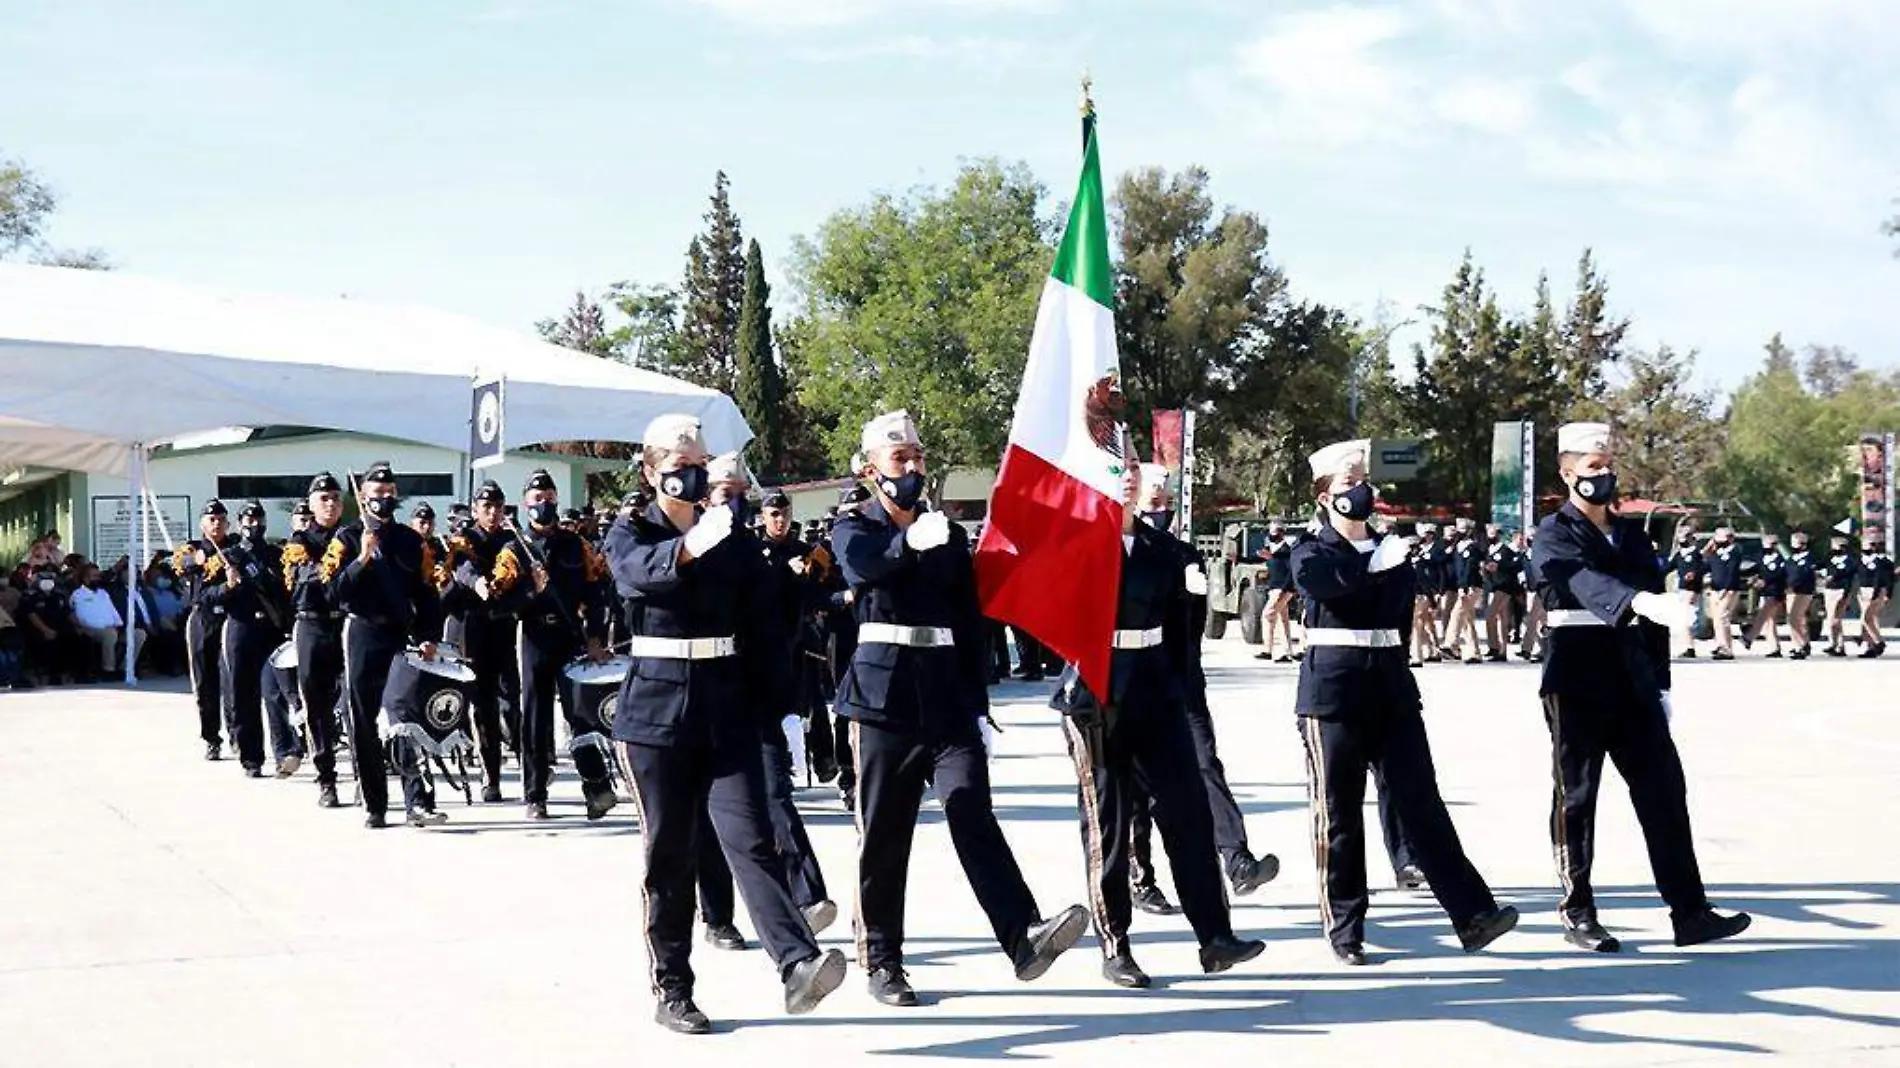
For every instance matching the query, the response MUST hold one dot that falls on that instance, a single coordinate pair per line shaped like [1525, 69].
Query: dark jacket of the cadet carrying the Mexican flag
[1154, 594]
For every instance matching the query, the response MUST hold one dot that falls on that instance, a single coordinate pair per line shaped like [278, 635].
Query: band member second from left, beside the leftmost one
[250, 638]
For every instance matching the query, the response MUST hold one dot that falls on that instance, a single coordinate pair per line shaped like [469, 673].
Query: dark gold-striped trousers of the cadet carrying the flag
[1145, 753]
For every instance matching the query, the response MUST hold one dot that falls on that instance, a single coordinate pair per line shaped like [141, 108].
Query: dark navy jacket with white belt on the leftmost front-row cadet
[721, 596]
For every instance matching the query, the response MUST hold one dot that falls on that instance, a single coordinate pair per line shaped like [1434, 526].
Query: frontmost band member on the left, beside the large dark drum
[383, 577]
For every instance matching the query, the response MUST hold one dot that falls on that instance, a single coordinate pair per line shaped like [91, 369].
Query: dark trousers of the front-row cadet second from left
[892, 771]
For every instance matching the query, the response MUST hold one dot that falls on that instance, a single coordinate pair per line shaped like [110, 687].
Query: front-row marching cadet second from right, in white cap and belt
[1359, 710]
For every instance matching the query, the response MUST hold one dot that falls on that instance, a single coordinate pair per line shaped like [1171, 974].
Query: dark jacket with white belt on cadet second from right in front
[1342, 594]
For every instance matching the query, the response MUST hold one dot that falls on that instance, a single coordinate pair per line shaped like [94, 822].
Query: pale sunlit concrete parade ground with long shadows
[157, 909]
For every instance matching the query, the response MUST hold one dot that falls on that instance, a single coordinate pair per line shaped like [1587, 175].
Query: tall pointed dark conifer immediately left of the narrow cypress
[713, 294]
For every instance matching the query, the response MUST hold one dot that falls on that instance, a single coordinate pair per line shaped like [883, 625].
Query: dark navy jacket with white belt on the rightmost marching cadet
[1586, 571]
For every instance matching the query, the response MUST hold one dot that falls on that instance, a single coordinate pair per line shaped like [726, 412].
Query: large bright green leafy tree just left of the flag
[922, 303]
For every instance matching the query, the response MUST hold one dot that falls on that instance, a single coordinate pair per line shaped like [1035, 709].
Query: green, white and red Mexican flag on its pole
[1050, 560]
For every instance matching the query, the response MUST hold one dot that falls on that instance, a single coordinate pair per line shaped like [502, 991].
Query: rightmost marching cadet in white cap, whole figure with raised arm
[1606, 695]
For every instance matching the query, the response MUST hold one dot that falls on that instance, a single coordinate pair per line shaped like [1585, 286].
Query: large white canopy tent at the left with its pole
[98, 368]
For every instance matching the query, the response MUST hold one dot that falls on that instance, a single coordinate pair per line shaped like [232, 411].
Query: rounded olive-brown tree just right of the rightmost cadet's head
[1669, 434]
